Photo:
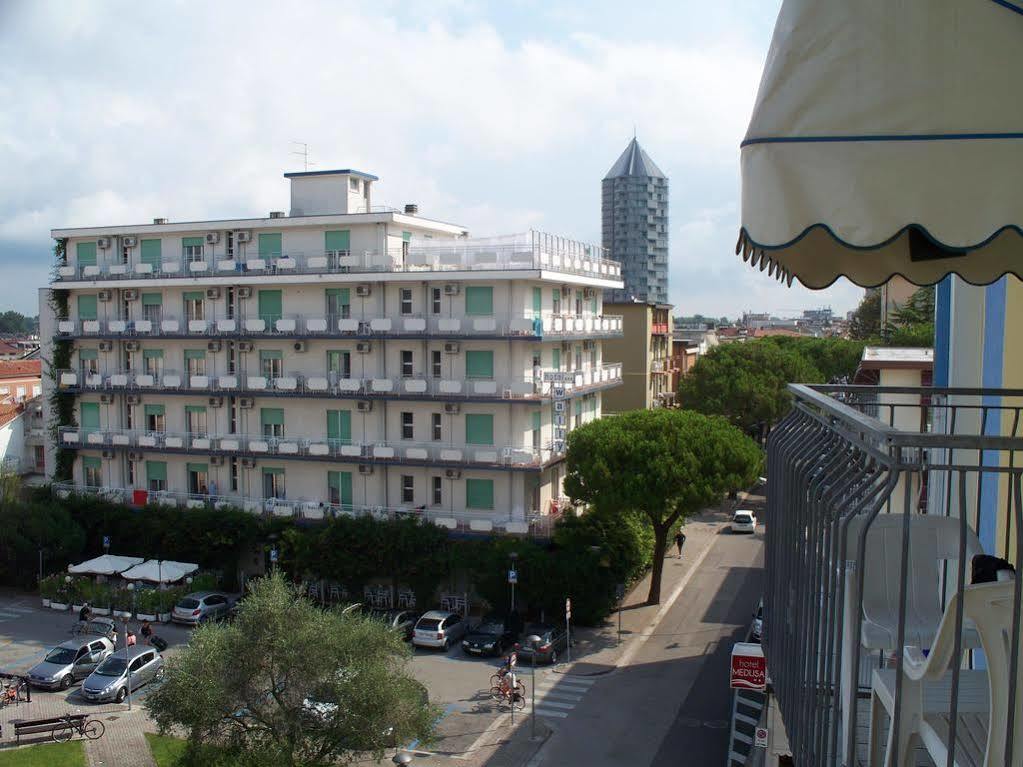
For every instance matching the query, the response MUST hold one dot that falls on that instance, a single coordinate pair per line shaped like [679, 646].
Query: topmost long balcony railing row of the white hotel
[434, 259]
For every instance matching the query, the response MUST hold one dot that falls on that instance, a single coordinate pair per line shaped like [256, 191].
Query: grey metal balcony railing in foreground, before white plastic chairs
[878, 502]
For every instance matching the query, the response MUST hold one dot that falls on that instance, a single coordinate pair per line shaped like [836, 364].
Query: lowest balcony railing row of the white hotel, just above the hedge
[469, 522]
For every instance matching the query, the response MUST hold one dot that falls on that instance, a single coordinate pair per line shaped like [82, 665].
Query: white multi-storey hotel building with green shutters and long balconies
[341, 359]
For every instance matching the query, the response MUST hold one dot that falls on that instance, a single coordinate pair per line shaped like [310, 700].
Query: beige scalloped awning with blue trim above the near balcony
[887, 139]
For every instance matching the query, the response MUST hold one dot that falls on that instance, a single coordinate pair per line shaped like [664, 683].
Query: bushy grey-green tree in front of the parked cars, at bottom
[290, 685]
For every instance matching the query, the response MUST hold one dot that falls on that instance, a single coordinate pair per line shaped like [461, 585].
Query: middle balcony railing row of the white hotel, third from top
[333, 385]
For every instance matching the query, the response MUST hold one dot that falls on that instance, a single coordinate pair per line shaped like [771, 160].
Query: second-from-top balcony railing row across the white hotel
[556, 327]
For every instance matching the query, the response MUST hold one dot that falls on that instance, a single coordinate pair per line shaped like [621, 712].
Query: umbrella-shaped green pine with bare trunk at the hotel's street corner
[665, 465]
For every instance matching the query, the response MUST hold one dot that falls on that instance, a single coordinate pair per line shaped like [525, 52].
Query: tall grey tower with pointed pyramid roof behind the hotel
[635, 208]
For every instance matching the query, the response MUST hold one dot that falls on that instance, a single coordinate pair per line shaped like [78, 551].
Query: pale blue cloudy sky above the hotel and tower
[501, 117]
